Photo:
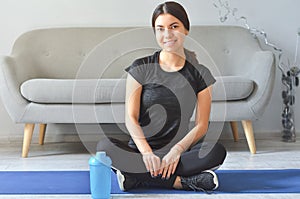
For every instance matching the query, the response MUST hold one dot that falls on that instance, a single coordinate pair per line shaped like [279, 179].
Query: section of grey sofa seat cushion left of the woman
[56, 91]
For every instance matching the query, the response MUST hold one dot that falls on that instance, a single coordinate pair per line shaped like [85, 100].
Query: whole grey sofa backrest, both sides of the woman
[60, 52]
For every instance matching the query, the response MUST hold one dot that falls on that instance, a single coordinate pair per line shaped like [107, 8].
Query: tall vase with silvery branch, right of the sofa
[290, 73]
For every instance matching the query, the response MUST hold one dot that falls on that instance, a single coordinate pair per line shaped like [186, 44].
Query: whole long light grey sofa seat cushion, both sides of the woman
[56, 91]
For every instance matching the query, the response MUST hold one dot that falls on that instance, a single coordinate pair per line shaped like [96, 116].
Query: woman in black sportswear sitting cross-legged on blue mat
[162, 91]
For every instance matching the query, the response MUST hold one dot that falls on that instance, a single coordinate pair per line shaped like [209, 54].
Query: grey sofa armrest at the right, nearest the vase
[263, 73]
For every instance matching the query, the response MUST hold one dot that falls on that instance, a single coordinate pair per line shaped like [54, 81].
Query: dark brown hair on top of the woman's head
[174, 9]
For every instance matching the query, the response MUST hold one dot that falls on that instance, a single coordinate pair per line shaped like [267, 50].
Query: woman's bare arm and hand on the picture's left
[132, 110]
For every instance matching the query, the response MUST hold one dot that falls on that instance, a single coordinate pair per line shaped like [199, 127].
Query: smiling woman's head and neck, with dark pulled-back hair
[171, 25]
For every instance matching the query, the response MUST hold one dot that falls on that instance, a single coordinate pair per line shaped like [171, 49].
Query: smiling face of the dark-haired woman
[170, 33]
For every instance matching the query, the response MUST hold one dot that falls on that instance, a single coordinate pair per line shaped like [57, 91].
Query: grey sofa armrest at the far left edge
[12, 99]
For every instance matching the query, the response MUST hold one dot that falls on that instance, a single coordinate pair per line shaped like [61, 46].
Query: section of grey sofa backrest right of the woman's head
[230, 47]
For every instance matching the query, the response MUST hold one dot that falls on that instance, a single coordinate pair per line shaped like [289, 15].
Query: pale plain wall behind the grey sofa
[280, 19]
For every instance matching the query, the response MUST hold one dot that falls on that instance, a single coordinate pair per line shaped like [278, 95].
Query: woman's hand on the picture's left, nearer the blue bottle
[152, 163]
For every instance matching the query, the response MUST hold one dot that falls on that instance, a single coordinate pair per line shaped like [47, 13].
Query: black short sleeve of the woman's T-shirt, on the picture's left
[138, 71]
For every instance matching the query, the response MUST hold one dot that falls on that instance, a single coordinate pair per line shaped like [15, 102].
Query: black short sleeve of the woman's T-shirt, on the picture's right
[205, 78]
